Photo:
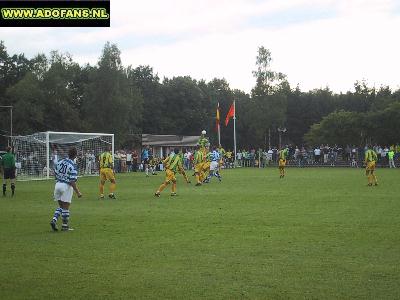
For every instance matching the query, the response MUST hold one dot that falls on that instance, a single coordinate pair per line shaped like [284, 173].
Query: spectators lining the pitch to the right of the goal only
[323, 155]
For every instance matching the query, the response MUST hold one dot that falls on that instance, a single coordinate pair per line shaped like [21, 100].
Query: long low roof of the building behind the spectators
[169, 140]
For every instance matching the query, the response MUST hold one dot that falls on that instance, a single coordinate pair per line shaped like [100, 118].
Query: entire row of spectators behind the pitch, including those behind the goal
[33, 163]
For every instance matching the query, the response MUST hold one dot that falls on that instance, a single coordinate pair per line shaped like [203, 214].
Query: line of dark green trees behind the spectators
[56, 93]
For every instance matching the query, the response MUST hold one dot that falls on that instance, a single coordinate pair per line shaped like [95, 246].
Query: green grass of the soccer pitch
[317, 234]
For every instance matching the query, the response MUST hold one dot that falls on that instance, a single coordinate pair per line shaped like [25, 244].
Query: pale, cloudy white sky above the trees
[316, 43]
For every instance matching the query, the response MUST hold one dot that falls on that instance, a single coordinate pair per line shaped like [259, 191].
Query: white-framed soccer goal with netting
[36, 154]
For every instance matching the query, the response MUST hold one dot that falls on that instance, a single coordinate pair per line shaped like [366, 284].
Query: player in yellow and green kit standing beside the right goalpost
[106, 166]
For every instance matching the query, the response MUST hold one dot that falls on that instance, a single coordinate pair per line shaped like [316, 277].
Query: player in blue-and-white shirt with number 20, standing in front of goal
[66, 174]
